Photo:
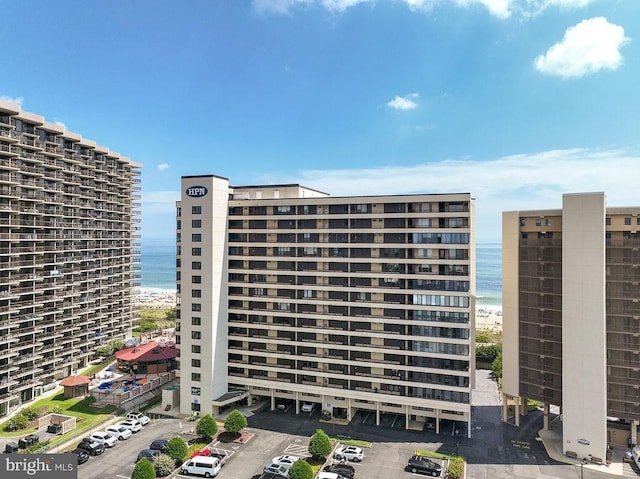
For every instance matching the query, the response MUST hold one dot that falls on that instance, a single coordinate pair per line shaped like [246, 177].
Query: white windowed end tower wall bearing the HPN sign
[208, 292]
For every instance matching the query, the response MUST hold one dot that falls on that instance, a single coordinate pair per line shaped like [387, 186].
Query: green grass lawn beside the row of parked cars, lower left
[86, 415]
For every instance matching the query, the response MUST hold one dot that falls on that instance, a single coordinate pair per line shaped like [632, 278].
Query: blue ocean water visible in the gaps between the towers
[158, 260]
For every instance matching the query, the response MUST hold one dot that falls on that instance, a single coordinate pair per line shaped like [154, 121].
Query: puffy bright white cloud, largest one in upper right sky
[588, 47]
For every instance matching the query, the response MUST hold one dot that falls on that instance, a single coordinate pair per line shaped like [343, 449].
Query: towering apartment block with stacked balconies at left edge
[68, 226]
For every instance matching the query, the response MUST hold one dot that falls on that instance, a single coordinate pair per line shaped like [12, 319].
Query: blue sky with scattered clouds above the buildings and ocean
[514, 101]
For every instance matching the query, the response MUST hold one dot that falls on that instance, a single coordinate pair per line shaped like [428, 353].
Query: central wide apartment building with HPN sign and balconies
[349, 304]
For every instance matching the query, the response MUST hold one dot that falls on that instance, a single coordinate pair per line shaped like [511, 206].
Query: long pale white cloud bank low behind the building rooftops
[517, 182]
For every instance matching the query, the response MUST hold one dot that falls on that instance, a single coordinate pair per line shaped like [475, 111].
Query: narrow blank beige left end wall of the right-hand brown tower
[510, 303]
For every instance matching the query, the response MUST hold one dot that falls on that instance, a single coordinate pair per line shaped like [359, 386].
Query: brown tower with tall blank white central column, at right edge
[572, 316]
